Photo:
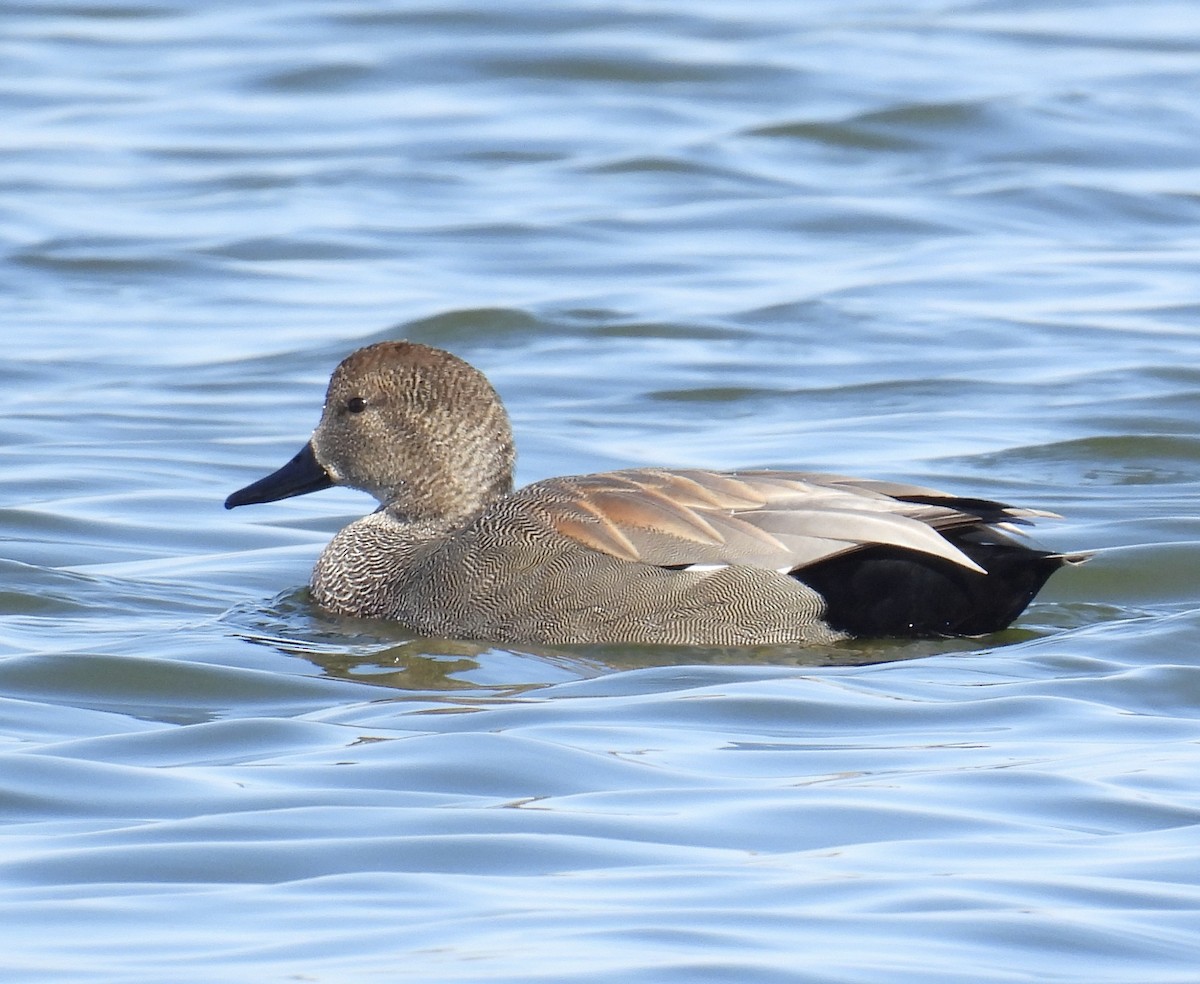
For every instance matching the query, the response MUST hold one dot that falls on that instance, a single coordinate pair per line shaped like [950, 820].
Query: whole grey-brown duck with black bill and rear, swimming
[637, 556]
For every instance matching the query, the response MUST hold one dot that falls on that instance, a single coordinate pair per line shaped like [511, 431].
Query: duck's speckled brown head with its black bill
[416, 427]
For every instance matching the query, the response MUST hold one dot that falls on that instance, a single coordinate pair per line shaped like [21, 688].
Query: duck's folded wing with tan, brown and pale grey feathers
[778, 520]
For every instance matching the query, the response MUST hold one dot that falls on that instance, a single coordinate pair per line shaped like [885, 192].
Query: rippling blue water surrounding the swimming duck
[949, 243]
